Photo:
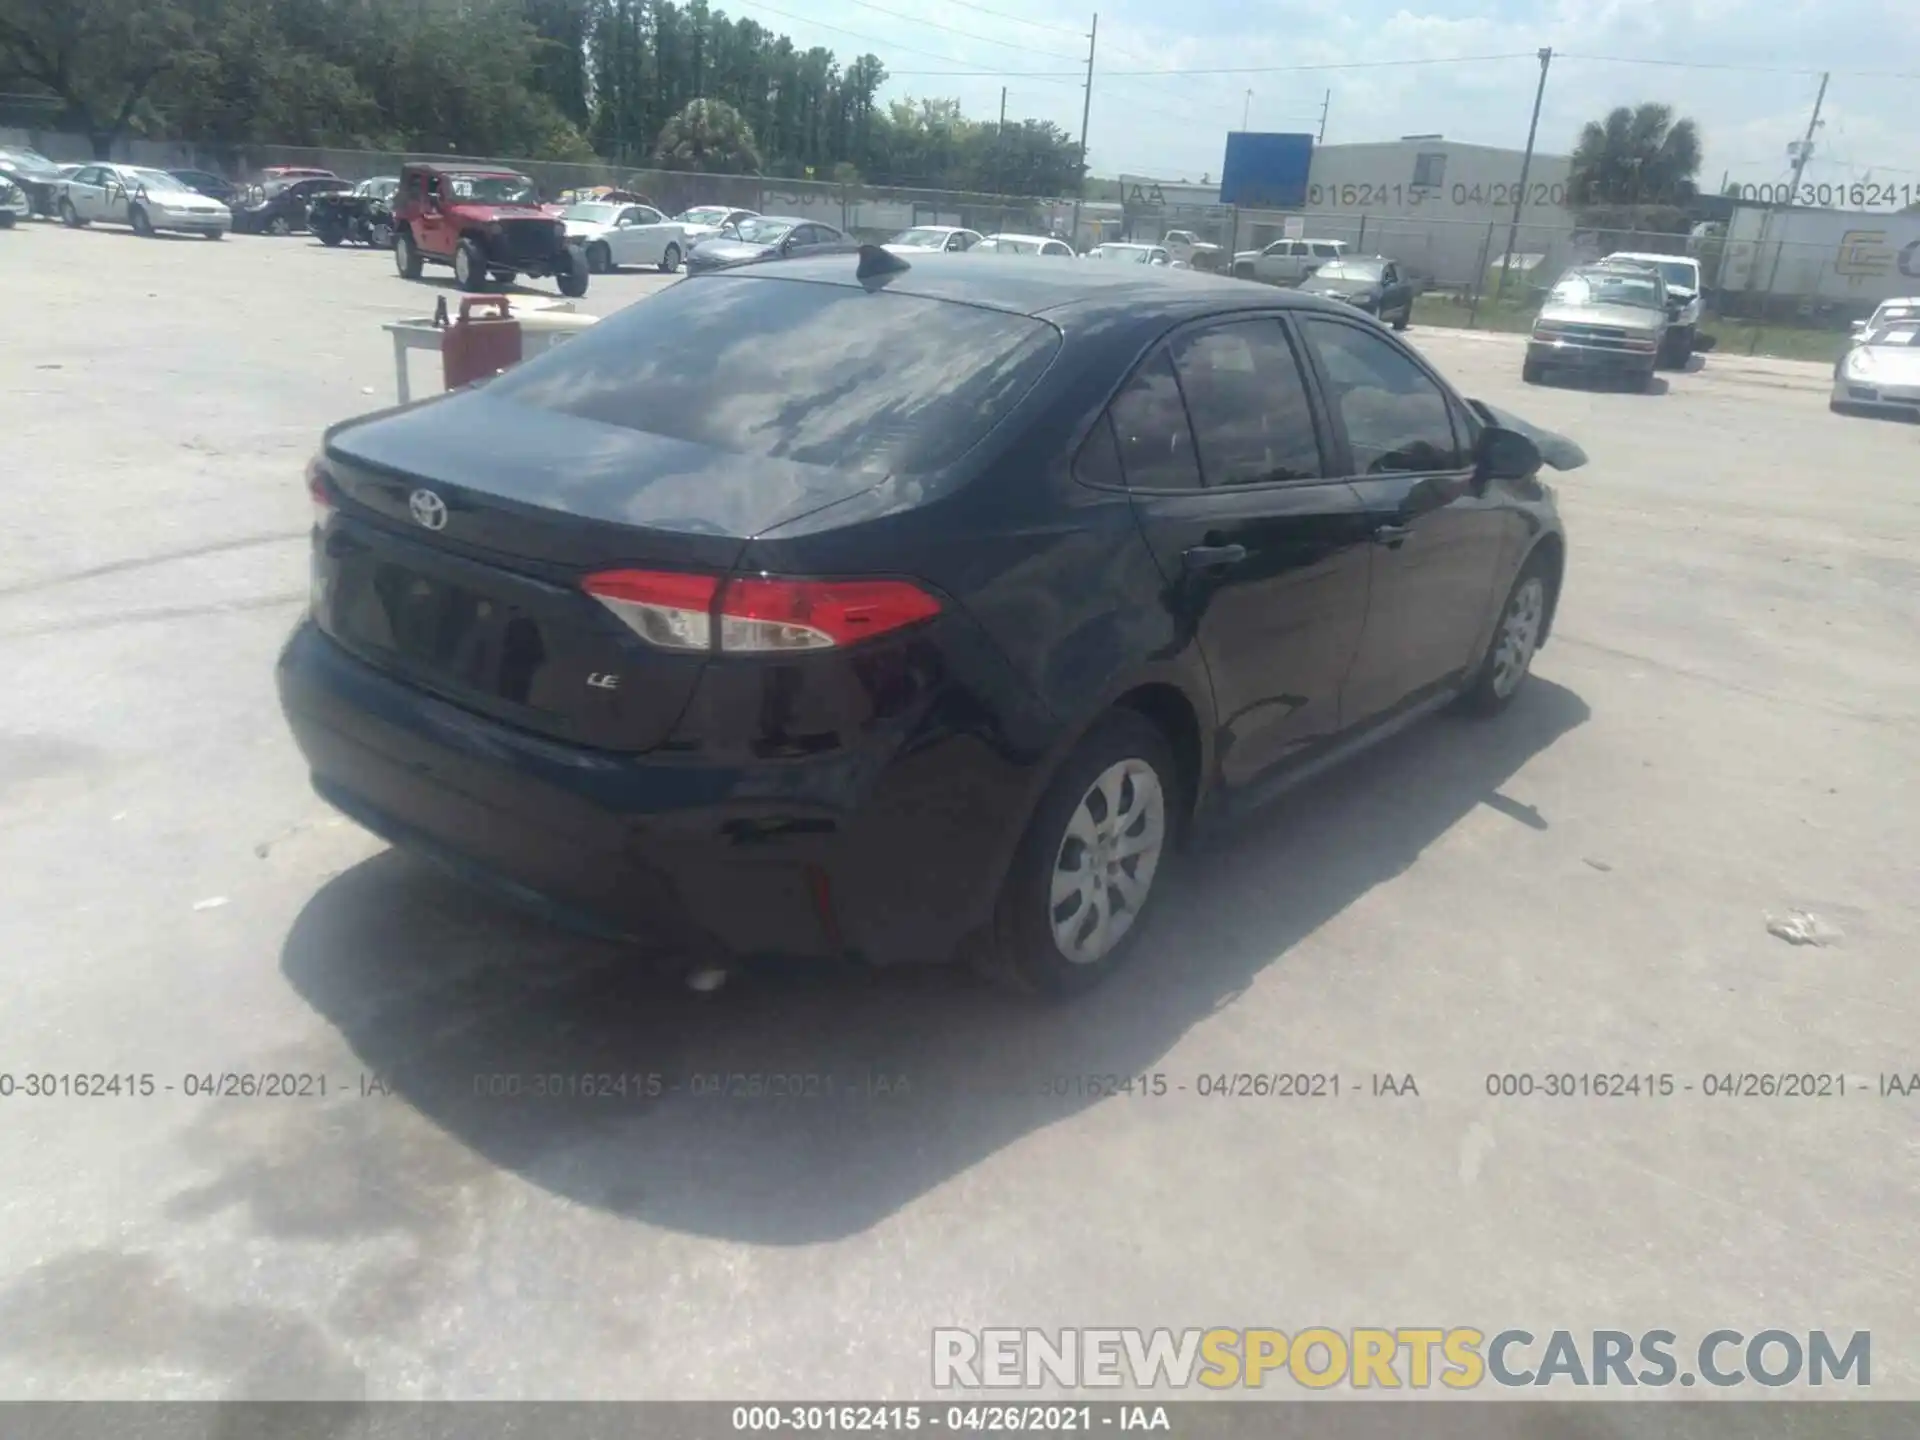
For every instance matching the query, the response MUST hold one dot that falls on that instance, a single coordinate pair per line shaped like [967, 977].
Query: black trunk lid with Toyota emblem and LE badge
[466, 527]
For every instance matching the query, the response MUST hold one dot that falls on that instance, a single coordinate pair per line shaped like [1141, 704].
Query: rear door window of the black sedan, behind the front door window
[1249, 406]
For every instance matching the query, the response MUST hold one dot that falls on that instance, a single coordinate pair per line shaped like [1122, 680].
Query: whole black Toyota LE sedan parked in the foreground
[905, 610]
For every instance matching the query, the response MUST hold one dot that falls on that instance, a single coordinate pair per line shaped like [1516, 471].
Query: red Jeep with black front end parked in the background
[481, 222]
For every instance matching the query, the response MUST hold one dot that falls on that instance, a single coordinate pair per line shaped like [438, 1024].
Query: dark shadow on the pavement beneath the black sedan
[458, 1005]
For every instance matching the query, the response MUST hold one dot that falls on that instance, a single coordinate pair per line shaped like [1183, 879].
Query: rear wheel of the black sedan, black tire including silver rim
[1124, 757]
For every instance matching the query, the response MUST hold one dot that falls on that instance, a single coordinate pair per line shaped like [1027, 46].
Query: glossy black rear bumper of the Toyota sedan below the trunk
[669, 850]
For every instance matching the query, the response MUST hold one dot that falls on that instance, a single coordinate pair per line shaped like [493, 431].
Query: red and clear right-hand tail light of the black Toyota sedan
[757, 615]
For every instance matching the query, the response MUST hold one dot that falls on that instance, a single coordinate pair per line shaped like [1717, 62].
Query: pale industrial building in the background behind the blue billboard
[1439, 206]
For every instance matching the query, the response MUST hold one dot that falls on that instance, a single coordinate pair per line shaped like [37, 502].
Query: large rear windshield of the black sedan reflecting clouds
[817, 373]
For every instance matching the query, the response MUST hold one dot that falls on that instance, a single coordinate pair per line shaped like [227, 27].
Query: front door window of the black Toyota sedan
[1397, 420]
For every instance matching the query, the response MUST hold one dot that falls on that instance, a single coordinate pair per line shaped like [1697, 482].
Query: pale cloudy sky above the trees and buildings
[1750, 78]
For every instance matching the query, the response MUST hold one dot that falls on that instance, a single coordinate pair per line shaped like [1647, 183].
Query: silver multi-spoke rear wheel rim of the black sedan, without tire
[1107, 861]
